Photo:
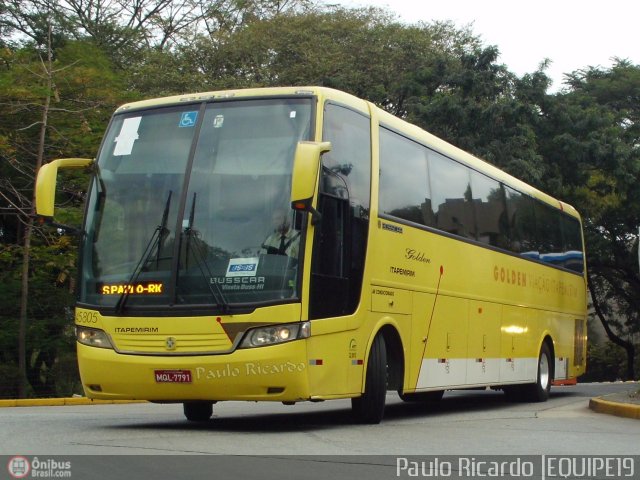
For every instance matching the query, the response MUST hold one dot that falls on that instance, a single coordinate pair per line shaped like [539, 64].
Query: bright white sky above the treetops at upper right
[573, 34]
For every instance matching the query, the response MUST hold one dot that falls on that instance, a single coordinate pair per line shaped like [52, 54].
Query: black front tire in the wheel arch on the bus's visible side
[369, 407]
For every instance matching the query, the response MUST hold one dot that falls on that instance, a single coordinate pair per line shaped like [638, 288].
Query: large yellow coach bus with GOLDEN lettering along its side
[300, 244]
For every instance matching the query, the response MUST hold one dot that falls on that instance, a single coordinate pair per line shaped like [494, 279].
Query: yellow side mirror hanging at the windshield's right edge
[306, 168]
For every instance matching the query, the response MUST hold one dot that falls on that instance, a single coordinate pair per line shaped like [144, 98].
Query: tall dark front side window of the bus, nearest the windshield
[340, 237]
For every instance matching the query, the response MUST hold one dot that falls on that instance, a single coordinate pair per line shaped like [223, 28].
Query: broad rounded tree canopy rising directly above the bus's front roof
[366, 52]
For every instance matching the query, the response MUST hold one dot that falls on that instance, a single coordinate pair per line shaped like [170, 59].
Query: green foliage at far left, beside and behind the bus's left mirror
[85, 90]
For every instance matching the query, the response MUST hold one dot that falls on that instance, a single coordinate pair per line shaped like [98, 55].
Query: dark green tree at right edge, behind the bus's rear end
[589, 140]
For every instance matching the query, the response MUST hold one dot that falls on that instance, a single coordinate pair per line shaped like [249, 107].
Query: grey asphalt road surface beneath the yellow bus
[468, 423]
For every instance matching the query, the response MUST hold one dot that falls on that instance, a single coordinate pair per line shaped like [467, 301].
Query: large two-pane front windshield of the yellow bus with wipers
[190, 206]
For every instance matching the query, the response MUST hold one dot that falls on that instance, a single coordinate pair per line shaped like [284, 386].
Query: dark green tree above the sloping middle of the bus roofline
[481, 107]
